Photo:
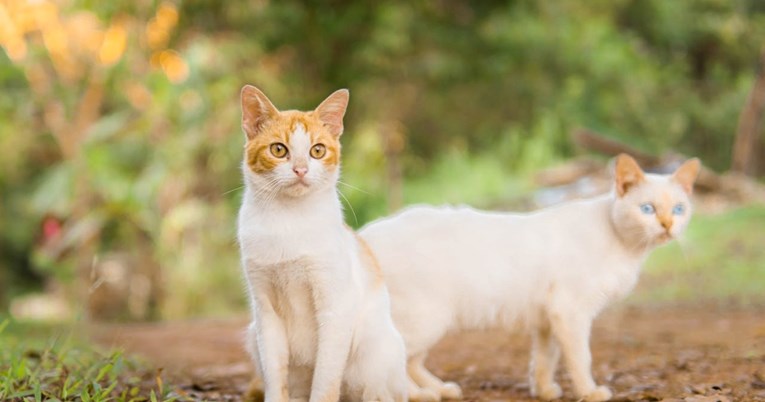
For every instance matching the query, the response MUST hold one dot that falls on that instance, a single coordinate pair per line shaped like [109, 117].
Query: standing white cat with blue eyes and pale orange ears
[550, 272]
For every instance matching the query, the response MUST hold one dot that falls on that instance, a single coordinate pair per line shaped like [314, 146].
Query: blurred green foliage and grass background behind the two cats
[120, 139]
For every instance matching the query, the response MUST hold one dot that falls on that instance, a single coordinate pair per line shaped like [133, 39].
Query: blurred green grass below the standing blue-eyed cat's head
[720, 258]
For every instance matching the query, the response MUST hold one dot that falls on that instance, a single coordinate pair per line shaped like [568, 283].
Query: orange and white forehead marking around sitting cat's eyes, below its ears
[299, 131]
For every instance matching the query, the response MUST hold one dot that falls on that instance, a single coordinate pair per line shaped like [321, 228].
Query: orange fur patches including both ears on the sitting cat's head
[271, 126]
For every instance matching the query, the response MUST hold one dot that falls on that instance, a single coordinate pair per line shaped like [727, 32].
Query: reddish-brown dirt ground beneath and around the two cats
[693, 354]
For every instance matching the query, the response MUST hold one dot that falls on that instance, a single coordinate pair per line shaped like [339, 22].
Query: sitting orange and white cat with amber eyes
[321, 325]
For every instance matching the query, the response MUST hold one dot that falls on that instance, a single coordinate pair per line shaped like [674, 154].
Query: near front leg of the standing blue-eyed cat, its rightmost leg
[571, 328]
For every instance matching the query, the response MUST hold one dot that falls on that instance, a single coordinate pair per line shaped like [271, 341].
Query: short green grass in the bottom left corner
[46, 363]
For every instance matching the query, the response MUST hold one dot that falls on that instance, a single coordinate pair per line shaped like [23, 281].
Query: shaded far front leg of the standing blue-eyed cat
[544, 360]
